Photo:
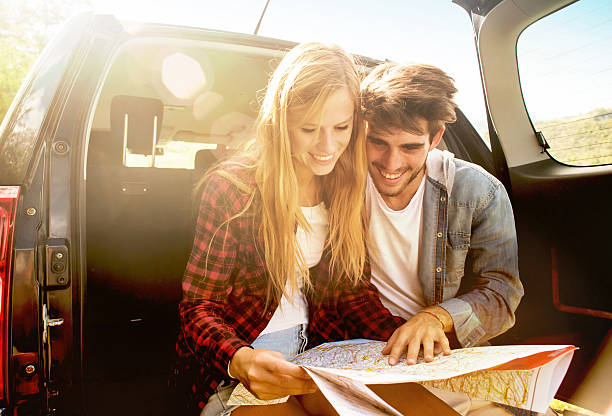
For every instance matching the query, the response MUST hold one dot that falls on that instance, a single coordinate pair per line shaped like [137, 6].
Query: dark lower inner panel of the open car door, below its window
[564, 227]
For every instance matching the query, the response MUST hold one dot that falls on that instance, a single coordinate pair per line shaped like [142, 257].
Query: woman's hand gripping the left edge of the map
[268, 375]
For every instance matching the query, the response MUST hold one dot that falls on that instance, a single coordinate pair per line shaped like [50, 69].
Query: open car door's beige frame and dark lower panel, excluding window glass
[562, 212]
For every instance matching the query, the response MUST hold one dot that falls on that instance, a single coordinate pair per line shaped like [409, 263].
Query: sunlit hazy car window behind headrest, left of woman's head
[177, 104]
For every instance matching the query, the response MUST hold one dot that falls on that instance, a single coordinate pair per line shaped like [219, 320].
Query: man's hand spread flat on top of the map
[423, 329]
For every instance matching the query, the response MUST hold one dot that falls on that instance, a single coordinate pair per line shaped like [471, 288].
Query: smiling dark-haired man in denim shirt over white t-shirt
[442, 240]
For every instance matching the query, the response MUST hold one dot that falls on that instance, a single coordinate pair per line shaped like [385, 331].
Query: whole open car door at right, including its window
[548, 92]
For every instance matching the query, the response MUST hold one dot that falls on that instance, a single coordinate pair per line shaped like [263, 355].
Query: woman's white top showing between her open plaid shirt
[294, 310]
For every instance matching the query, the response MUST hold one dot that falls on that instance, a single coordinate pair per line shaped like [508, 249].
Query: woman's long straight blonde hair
[307, 75]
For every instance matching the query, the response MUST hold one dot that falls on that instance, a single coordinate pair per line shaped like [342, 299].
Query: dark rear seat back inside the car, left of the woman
[139, 235]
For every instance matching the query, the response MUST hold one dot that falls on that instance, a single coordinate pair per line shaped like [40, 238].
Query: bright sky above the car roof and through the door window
[565, 60]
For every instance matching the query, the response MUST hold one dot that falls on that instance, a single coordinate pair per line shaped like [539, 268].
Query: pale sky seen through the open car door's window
[565, 60]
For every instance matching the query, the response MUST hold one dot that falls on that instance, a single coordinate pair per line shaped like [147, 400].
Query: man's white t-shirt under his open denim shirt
[394, 243]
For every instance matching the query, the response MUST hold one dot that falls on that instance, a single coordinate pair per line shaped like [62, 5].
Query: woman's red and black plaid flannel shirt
[224, 291]
